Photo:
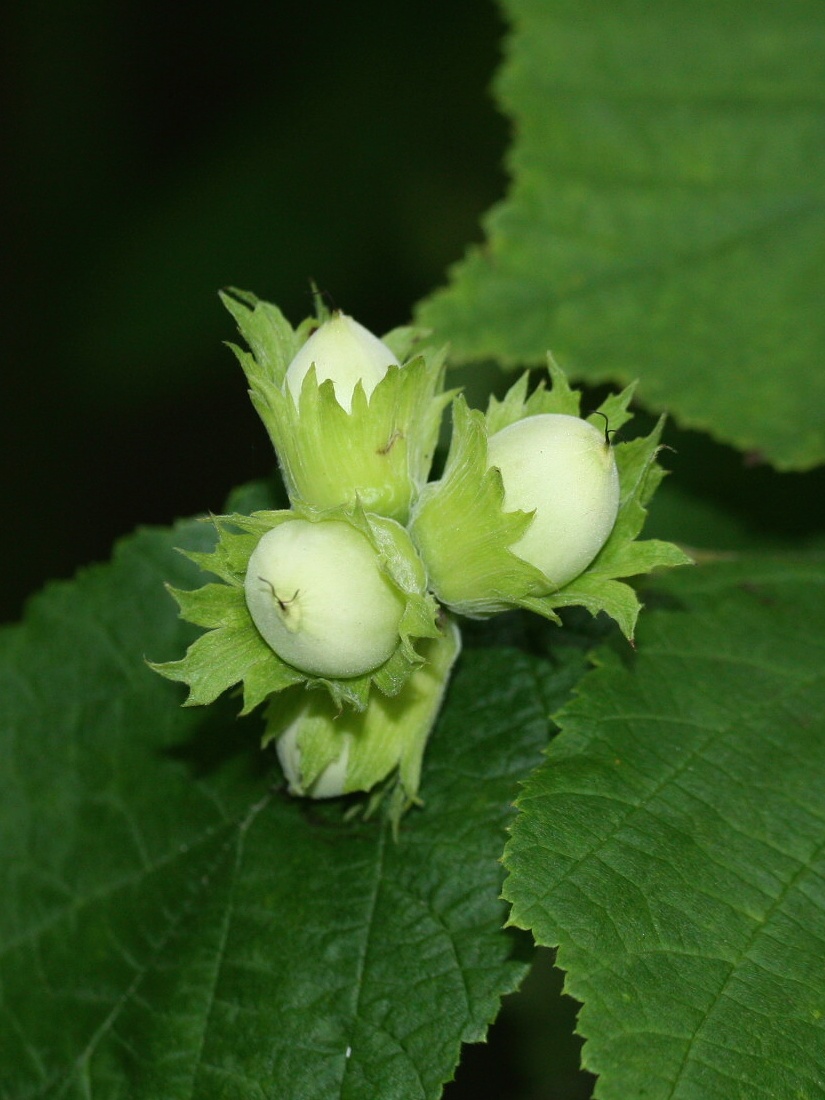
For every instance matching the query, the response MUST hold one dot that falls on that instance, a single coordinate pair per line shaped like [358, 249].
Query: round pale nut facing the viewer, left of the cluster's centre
[318, 598]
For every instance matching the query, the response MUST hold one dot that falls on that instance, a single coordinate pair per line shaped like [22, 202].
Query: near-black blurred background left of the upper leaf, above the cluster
[157, 152]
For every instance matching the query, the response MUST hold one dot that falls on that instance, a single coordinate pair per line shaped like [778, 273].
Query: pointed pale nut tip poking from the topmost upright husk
[346, 353]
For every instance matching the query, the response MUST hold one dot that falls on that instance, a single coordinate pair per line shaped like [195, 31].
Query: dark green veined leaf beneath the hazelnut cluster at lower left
[174, 926]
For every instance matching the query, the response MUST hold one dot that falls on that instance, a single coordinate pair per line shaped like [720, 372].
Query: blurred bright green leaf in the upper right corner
[666, 217]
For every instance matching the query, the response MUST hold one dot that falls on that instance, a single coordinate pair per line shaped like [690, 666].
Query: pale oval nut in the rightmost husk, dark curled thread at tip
[565, 469]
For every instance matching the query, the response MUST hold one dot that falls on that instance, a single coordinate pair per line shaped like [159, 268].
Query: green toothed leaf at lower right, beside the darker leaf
[674, 843]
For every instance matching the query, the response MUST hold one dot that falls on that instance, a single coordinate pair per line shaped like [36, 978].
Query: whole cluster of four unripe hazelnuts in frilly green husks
[356, 589]
